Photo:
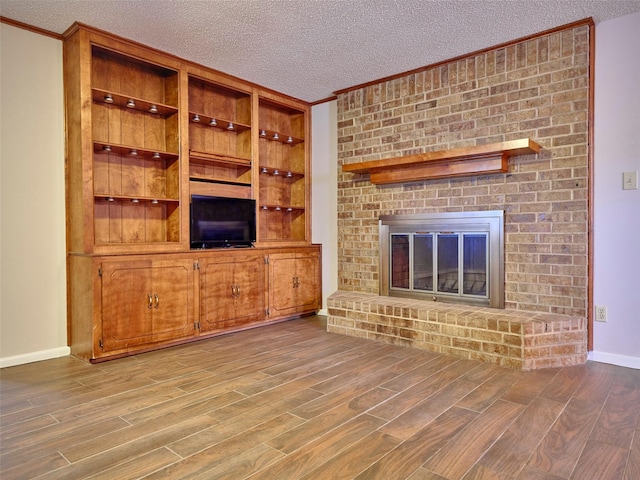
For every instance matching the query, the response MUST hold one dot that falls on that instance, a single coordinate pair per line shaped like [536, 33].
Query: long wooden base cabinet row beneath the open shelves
[122, 305]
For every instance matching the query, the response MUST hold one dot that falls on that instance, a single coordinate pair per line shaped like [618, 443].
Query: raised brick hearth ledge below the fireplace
[514, 339]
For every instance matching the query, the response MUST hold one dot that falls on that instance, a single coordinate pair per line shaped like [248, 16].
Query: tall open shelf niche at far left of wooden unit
[136, 178]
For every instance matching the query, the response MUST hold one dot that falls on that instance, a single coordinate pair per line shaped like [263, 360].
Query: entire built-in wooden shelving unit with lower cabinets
[146, 132]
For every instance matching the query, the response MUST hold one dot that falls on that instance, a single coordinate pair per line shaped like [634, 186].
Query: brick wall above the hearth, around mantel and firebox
[537, 89]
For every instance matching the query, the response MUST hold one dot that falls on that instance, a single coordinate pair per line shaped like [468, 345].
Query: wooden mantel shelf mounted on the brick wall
[478, 160]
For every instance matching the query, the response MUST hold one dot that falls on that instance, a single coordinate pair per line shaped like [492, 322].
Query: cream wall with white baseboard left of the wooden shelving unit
[32, 217]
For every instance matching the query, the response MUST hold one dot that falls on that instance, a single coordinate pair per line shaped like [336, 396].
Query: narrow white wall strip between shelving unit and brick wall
[324, 192]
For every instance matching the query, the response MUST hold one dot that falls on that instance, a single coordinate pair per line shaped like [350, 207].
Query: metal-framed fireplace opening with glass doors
[452, 257]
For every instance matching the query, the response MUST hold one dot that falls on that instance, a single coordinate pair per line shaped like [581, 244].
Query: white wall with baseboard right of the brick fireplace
[617, 211]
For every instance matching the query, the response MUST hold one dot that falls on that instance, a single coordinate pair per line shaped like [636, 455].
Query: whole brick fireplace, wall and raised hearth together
[537, 88]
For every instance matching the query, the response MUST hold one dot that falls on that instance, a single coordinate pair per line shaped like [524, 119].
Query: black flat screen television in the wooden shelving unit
[220, 222]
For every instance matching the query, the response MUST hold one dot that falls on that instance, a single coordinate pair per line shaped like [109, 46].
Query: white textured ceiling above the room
[311, 48]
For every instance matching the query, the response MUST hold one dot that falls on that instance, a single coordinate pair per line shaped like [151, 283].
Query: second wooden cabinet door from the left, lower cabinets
[173, 306]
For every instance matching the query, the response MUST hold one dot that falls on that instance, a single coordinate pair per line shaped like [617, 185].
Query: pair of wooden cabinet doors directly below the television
[231, 291]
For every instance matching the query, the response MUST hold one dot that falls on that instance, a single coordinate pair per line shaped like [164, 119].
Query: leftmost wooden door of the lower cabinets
[127, 304]
